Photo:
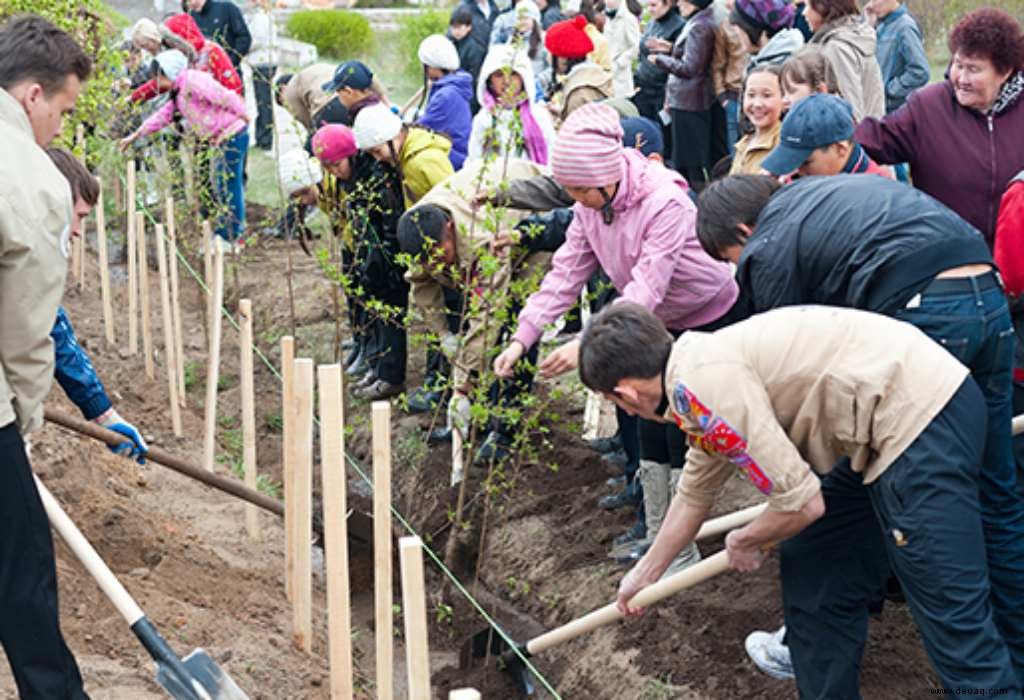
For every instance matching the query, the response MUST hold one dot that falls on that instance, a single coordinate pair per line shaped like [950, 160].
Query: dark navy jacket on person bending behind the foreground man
[817, 243]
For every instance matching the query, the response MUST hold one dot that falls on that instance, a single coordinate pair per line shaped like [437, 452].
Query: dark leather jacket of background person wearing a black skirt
[690, 87]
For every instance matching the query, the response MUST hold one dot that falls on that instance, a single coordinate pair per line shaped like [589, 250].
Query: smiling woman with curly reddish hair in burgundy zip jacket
[963, 138]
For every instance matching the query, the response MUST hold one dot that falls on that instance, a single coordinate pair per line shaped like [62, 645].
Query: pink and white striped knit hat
[588, 149]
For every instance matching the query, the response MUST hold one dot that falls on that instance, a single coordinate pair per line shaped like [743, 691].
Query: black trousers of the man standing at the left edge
[30, 627]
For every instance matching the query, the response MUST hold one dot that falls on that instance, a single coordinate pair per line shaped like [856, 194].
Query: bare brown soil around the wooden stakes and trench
[183, 551]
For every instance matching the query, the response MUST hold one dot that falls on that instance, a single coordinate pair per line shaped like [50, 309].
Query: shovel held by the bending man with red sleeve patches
[490, 643]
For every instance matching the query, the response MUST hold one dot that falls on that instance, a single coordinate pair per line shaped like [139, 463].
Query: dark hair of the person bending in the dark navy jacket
[727, 204]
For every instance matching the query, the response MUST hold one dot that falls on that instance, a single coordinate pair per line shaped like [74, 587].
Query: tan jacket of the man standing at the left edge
[35, 218]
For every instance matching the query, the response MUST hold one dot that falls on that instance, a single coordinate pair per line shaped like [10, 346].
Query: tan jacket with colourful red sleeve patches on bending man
[794, 390]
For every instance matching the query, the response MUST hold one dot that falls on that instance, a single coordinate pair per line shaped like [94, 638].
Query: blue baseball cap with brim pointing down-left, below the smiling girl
[816, 122]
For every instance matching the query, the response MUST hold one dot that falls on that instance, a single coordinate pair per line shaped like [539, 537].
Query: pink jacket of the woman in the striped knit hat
[651, 252]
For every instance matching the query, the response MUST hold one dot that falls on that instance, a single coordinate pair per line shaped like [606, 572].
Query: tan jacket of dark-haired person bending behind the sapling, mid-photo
[476, 232]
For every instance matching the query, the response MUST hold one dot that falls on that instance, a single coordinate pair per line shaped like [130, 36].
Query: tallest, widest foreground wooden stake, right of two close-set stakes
[336, 532]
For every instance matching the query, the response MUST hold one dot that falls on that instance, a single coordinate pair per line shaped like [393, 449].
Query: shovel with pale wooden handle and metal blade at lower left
[195, 678]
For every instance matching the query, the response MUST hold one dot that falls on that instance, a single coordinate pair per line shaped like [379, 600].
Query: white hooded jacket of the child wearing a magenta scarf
[492, 132]
